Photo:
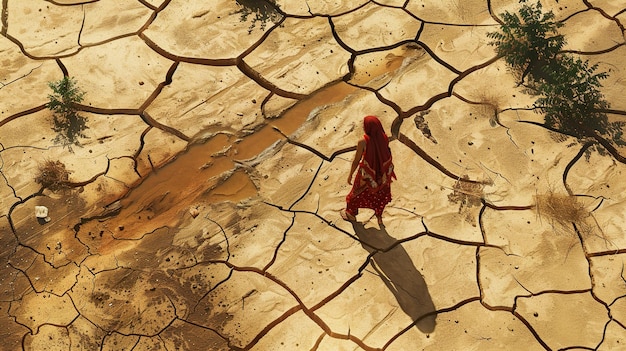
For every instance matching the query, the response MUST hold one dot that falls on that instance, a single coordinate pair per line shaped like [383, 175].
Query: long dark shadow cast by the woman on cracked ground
[399, 274]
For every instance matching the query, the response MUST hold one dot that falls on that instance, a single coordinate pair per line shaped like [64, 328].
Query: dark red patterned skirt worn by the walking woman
[364, 196]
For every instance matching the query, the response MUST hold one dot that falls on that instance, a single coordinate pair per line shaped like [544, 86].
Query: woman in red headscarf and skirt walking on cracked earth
[372, 184]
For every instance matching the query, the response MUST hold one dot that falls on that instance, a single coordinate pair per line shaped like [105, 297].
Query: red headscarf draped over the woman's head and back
[377, 153]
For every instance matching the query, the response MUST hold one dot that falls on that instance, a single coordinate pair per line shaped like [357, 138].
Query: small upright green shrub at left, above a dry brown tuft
[67, 122]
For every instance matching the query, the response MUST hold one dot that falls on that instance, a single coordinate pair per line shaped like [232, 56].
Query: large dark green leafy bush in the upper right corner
[569, 88]
